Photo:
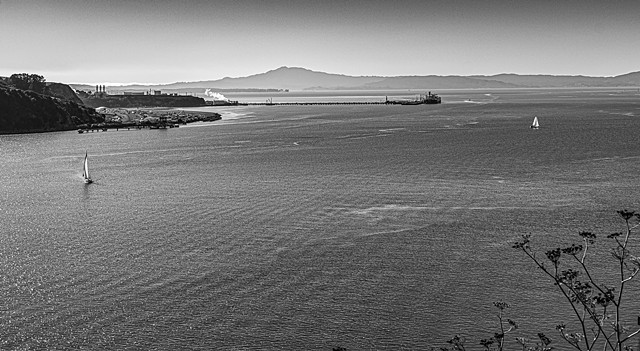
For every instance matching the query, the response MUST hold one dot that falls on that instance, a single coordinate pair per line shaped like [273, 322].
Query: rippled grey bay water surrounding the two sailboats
[309, 227]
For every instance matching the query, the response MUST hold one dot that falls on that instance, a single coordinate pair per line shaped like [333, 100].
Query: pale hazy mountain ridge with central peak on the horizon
[297, 78]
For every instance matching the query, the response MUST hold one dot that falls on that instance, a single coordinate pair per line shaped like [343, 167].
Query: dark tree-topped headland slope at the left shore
[24, 111]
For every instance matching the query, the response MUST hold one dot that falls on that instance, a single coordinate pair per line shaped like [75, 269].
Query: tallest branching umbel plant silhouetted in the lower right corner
[596, 306]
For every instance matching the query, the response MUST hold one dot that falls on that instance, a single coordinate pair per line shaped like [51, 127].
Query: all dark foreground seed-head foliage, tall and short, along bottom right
[598, 309]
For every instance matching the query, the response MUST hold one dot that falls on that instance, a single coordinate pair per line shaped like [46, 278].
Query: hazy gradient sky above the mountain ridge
[167, 41]
